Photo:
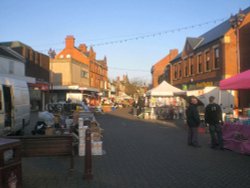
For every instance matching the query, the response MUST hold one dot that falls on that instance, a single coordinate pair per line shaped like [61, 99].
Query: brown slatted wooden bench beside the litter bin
[45, 146]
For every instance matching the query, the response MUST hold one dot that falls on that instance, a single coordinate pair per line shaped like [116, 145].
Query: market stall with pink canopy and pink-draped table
[236, 130]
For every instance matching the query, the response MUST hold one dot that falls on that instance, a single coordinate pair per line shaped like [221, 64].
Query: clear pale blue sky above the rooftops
[132, 34]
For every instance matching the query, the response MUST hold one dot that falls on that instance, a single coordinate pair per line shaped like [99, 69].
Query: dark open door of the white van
[7, 105]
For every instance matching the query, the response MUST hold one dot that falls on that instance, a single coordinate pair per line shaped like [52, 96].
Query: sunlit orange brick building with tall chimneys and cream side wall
[77, 70]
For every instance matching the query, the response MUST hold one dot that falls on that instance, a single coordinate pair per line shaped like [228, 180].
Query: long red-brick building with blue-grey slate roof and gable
[211, 57]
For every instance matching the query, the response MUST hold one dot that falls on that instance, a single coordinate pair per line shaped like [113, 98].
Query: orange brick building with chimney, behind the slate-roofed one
[157, 69]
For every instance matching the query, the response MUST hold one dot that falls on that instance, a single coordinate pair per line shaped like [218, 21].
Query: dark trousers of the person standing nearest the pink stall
[216, 135]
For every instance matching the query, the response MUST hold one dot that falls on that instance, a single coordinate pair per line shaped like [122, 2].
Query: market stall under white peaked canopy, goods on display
[164, 102]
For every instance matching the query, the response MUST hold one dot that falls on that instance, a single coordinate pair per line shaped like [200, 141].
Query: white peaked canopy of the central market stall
[165, 89]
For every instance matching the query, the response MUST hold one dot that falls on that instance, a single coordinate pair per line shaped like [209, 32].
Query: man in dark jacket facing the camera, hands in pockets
[193, 122]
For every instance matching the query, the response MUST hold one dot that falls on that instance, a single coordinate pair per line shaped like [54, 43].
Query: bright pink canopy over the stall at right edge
[240, 81]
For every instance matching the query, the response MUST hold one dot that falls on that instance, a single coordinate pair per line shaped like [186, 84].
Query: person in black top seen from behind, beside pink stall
[213, 117]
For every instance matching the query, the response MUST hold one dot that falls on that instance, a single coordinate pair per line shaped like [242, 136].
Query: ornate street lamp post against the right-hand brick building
[236, 21]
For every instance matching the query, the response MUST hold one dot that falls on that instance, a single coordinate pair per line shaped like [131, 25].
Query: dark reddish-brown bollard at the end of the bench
[88, 157]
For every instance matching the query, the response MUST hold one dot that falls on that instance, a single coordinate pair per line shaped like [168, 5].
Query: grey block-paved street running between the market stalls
[143, 154]
